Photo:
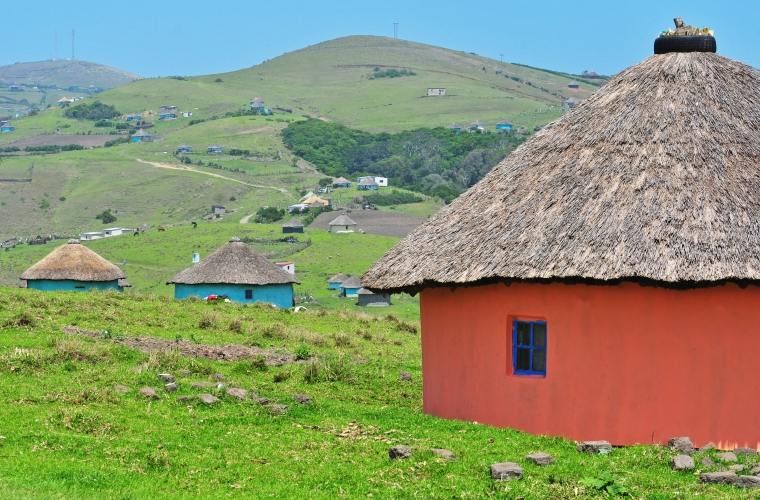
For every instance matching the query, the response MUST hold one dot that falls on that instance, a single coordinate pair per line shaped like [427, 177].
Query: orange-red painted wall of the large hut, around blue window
[627, 363]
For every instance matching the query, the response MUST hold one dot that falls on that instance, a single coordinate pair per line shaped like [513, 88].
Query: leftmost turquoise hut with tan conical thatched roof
[74, 267]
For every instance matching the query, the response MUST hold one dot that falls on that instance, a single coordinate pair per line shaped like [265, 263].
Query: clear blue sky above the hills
[192, 37]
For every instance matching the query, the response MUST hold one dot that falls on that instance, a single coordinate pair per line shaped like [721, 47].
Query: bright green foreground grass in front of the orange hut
[66, 433]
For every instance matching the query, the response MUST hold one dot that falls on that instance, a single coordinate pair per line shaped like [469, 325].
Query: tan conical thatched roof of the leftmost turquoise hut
[73, 261]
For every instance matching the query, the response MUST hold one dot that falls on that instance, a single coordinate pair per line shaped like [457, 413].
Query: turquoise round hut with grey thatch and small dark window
[237, 271]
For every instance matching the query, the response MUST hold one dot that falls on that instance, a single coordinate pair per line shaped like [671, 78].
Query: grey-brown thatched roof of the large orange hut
[653, 179]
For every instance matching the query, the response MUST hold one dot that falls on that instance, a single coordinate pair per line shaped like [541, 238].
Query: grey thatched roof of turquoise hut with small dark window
[234, 263]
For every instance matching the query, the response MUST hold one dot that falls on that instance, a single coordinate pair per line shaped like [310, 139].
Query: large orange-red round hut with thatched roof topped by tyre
[603, 281]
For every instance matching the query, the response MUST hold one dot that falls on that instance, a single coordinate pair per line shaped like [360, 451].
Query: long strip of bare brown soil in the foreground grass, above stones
[227, 352]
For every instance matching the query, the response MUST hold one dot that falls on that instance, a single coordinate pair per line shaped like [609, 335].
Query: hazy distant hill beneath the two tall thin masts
[65, 73]
